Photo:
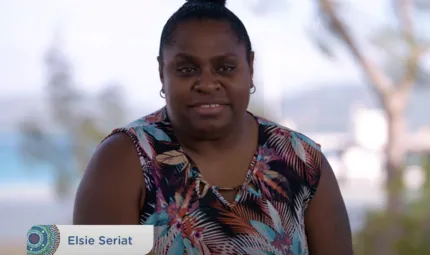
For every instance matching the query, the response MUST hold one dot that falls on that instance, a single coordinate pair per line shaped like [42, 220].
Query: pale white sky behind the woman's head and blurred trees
[118, 41]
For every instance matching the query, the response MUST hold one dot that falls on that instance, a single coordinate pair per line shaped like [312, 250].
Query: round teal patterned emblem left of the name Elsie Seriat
[43, 240]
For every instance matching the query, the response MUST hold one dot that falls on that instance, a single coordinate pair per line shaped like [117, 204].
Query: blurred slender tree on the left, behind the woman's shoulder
[67, 144]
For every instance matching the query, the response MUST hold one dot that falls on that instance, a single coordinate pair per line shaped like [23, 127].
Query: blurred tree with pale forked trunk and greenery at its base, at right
[401, 46]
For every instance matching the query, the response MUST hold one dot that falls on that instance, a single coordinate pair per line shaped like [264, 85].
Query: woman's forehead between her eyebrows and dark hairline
[204, 39]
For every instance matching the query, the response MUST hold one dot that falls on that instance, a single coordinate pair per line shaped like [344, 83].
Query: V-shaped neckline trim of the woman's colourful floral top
[198, 178]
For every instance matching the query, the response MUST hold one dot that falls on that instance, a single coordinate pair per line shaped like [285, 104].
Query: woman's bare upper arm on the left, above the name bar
[111, 188]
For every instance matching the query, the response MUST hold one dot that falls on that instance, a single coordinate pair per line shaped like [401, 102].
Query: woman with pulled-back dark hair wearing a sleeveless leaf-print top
[213, 178]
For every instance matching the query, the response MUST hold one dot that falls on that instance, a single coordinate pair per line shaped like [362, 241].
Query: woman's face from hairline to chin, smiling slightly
[206, 76]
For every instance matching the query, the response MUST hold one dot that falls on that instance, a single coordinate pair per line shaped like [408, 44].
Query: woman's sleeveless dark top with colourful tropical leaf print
[267, 215]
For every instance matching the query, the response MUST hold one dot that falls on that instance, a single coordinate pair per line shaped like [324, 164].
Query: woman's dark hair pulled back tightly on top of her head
[204, 9]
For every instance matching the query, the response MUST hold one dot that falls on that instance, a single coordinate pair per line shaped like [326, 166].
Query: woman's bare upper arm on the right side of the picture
[326, 219]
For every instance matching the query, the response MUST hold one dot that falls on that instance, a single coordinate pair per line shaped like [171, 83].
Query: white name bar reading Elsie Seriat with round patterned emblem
[90, 239]
